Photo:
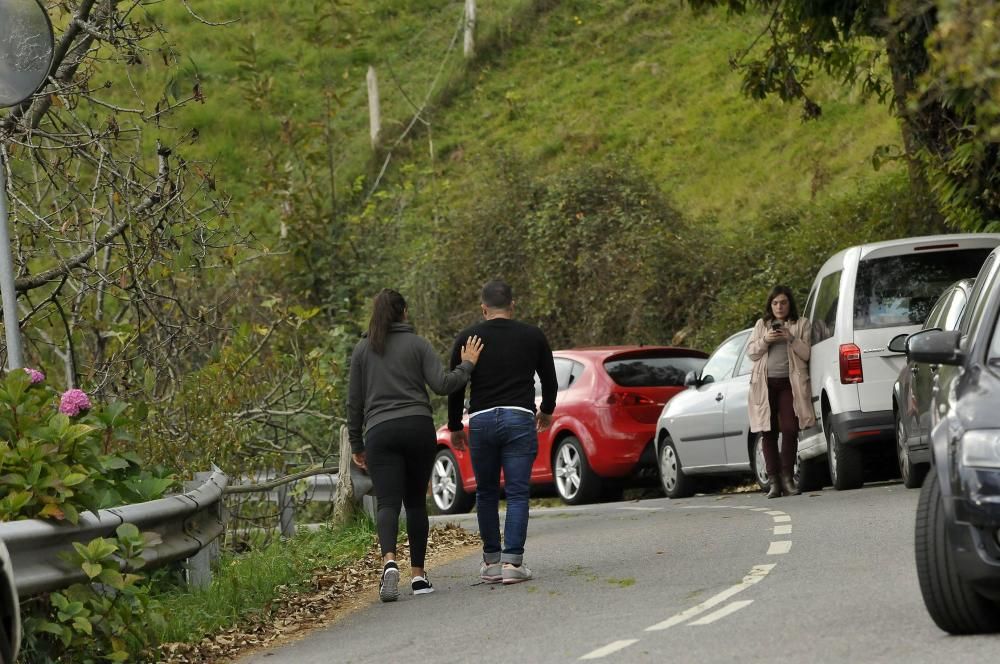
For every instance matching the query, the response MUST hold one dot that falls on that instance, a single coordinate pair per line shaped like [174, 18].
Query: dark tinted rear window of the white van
[900, 290]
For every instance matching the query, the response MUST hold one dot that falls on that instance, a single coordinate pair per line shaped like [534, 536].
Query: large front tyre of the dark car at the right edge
[952, 602]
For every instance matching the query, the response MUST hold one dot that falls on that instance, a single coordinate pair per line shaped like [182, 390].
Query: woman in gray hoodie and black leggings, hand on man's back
[391, 427]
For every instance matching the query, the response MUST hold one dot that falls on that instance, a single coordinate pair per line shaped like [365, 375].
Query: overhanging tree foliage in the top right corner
[940, 67]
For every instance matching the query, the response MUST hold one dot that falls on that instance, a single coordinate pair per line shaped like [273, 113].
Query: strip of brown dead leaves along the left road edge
[333, 592]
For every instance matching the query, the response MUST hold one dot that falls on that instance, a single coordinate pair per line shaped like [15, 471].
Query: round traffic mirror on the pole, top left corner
[26, 46]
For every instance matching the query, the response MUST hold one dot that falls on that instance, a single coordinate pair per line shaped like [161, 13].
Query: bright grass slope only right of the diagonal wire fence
[651, 80]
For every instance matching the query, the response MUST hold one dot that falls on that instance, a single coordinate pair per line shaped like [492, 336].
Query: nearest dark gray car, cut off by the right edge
[957, 538]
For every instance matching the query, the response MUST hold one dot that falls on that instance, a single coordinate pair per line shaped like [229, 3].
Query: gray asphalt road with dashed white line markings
[824, 577]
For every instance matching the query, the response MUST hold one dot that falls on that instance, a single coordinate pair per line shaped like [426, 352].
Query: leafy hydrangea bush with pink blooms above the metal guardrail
[53, 466]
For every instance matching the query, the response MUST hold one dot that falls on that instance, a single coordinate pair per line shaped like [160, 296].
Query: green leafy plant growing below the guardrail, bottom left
[111, 618]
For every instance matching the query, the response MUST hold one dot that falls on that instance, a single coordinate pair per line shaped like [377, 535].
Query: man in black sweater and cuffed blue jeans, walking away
[503, 425]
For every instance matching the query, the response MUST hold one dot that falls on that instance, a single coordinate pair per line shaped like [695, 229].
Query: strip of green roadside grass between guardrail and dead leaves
[247, 584]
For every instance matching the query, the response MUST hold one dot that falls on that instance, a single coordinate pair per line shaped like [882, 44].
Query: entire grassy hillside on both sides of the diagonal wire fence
[581, 80]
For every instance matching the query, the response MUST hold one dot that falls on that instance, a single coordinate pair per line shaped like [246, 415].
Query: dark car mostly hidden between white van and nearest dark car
[911, 395]
